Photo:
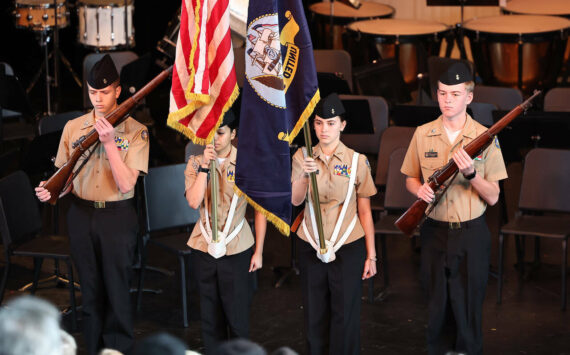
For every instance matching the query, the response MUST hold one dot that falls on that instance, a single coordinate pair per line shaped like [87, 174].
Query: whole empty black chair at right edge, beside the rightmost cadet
[542, 209]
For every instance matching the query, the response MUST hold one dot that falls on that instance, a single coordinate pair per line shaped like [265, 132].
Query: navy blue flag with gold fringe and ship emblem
[279, 94]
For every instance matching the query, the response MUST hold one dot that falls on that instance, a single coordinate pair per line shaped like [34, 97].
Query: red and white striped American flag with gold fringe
[204, 82]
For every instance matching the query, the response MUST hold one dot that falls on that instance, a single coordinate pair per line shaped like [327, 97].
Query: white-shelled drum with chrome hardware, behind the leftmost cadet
[106, 24]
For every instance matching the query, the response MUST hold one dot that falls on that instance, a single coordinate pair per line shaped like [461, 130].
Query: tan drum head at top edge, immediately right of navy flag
[367, 10]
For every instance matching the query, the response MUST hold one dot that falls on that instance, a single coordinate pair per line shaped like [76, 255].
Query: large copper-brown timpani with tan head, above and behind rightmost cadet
[524, 51]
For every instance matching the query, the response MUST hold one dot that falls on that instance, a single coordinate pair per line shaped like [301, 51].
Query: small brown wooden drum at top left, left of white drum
[40, 15]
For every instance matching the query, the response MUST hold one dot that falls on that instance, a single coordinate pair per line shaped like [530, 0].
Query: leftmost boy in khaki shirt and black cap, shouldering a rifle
[102, 221]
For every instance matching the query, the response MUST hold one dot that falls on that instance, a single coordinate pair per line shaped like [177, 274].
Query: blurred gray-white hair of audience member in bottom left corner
[29, 325]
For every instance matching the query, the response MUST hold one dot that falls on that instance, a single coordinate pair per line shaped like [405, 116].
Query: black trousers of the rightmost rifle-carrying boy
[454, 272]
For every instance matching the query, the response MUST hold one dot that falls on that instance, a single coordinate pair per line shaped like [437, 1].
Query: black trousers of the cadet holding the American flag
[225, 296]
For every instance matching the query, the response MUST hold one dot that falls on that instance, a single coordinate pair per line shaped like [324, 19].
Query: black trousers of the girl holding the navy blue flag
[332, 295]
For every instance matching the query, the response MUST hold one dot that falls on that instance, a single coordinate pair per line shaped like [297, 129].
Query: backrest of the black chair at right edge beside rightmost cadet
[545, 181]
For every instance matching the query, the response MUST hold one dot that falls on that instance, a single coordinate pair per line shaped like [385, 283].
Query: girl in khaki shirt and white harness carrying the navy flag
[332, 283]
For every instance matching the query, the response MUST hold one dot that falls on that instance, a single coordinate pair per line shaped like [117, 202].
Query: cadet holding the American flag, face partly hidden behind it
[224, 277]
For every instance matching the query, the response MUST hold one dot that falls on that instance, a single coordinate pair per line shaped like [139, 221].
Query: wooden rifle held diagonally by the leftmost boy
[62, 178]
